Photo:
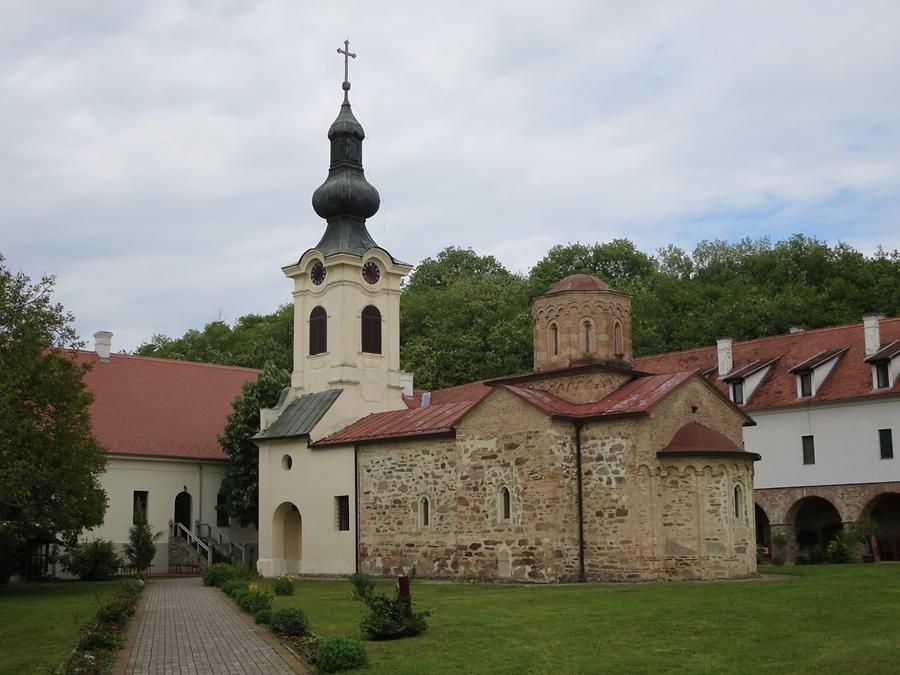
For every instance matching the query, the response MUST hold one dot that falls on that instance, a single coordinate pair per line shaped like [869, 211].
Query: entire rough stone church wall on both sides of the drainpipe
[644, 519]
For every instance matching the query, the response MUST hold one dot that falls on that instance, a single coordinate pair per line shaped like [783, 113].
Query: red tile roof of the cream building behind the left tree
[150, 406]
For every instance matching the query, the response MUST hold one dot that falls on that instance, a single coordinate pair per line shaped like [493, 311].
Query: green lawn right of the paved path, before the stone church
[817, 619]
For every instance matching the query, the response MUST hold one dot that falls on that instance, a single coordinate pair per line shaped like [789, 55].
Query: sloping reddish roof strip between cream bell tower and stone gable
[428, 421]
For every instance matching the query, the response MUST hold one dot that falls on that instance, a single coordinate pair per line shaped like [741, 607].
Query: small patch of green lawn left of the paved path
[39, 622]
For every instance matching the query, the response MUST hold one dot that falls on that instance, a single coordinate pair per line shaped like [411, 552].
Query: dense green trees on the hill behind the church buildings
[465, 317]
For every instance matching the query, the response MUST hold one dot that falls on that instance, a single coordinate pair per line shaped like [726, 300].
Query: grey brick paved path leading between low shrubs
[188, 628]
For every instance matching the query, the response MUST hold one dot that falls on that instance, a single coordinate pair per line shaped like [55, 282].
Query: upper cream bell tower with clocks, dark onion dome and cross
[347, 289]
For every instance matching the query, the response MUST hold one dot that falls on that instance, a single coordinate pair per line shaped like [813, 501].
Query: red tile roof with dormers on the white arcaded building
[850, 378]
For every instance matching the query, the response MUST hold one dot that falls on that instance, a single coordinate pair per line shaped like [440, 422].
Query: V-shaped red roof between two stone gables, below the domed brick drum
[636, 396]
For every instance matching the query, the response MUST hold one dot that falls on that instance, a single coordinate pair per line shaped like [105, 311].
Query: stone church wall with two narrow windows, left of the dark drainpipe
[504, 442]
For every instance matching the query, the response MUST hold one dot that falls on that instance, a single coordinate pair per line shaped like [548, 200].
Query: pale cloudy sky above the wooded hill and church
[159, 157]
